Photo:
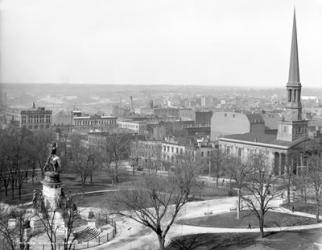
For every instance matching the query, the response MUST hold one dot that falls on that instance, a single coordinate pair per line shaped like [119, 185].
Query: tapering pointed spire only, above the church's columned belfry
[294, 72]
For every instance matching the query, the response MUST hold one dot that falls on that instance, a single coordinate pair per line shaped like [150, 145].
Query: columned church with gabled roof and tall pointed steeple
[292, 130]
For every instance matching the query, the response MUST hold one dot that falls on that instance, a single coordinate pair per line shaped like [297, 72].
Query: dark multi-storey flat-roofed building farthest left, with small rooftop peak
[36, 118]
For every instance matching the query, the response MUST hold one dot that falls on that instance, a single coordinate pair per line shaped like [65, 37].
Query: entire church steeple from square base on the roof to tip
[292, 126]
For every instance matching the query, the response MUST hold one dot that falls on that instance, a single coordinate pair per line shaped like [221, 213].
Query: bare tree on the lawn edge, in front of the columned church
[259, 184]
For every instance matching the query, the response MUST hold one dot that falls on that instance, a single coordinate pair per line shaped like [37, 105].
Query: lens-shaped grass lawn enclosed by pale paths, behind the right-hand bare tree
[228, 220]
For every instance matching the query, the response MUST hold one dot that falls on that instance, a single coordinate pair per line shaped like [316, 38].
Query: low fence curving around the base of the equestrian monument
[99, 240]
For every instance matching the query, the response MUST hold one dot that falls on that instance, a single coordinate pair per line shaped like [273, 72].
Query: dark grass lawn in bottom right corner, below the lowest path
[277, 241]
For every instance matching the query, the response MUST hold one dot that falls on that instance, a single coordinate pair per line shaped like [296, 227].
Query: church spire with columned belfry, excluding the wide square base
[294, 106]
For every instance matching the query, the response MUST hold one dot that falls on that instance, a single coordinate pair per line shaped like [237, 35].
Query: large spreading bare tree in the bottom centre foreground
[156, 201]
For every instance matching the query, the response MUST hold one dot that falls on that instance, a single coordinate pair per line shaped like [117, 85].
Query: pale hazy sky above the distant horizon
[209, 42]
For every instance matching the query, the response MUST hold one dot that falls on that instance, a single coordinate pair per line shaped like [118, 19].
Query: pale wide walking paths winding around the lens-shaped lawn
[132, 235]
